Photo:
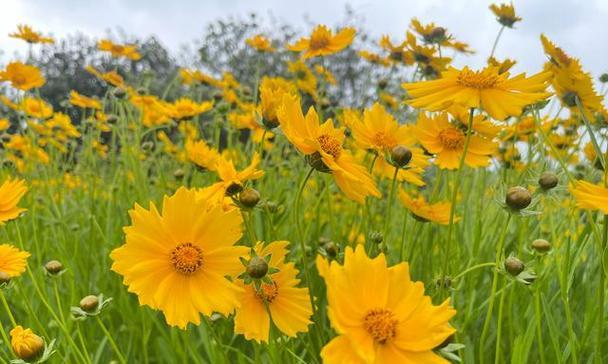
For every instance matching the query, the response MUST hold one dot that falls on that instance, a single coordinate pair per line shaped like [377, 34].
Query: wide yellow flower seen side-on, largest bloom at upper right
[496, 93]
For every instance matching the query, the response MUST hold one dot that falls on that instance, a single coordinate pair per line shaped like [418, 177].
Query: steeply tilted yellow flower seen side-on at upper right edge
[570, 82]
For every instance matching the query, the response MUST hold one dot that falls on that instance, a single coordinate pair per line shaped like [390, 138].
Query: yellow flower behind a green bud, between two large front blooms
[279, 300]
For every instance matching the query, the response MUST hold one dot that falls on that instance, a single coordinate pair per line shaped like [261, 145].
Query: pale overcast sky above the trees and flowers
[579, 26]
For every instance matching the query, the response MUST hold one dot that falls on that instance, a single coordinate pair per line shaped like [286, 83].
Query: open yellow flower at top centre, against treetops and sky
[323, 42]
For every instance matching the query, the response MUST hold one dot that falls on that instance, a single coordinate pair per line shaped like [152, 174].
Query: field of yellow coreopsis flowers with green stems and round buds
[442, 214]
